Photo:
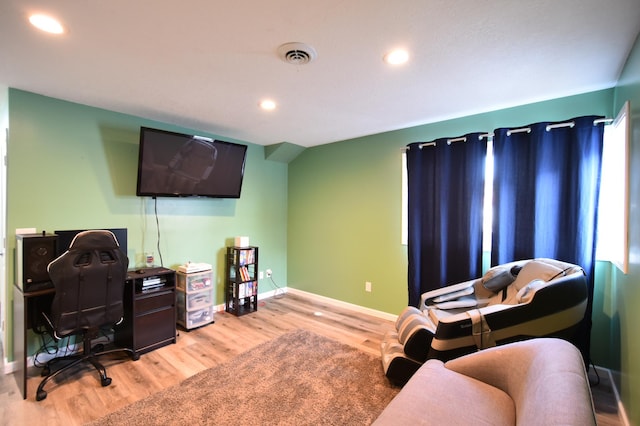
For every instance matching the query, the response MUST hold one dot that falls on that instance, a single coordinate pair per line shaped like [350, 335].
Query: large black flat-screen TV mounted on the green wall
[173, 164]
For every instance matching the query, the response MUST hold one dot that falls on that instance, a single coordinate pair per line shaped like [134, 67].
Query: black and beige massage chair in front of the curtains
[510, 302]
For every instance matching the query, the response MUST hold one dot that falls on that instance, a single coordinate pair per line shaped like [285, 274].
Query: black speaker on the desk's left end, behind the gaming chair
[33, 254]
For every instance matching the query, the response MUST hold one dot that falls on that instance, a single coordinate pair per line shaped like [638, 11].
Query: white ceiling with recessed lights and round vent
[205, 64]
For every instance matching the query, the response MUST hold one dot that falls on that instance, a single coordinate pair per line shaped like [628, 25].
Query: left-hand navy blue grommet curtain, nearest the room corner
[445, 201]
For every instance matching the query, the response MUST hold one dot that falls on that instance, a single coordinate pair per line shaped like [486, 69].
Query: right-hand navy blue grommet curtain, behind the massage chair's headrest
[545, 198]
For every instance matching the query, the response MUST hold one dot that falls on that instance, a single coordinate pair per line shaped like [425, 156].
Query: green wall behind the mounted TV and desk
[72, 166]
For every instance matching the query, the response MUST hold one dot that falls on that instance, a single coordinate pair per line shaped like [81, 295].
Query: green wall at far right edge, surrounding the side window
[624, 290]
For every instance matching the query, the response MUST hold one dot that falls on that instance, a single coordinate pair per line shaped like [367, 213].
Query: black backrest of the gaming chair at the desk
[89, 282]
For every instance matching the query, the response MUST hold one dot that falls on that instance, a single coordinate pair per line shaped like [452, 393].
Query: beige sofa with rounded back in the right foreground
[534, 382]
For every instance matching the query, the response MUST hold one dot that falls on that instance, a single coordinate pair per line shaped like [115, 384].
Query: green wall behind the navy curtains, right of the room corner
[345, 203]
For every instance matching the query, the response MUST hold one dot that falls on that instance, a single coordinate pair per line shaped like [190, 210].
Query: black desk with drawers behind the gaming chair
[149, 317]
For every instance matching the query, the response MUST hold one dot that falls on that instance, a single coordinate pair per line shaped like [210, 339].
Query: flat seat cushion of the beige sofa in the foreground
[438, 396]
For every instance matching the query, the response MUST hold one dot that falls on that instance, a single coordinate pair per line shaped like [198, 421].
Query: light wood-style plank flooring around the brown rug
[79, 399]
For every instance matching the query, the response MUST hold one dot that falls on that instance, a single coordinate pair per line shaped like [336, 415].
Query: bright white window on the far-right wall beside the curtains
[613, 207]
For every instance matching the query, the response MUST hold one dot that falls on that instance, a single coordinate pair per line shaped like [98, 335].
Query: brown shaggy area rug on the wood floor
[299, 378]
